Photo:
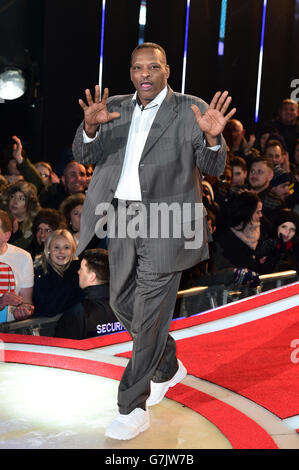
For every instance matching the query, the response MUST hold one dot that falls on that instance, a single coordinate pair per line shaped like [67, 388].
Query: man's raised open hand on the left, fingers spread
[95, 111]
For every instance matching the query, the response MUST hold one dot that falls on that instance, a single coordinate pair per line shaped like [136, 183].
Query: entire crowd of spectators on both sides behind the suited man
[253, 216]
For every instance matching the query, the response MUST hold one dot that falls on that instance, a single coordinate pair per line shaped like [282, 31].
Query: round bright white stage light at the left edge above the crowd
[12, 84]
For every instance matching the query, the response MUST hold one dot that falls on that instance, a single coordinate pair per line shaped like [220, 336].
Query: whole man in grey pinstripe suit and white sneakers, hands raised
[149, 148]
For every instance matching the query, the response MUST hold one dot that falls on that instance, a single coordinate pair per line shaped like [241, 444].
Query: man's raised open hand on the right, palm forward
[214, 120]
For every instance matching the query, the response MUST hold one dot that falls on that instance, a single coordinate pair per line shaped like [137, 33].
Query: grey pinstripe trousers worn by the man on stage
[143, 301]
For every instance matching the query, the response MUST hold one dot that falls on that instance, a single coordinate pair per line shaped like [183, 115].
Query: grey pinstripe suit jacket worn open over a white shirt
[170, 170]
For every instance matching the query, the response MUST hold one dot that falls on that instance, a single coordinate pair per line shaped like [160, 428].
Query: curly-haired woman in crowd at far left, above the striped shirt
[20, 201]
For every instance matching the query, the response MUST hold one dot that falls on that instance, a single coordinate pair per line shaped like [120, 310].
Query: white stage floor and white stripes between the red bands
[45, 407]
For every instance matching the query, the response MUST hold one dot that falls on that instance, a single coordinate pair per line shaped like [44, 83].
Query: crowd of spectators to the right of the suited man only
[254, 206]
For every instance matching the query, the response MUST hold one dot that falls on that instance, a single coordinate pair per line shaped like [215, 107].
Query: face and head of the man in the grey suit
[149, 73]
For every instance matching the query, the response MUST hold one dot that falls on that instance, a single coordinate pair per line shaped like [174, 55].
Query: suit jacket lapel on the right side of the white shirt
[164, 118]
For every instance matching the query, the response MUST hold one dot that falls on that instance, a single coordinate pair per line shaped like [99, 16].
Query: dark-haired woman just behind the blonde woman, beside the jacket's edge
[71, 208]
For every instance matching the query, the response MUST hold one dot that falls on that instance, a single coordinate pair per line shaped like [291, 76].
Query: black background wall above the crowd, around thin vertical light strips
[59, 43]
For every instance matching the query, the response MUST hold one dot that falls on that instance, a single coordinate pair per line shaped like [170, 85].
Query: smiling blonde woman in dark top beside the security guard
[56, 280]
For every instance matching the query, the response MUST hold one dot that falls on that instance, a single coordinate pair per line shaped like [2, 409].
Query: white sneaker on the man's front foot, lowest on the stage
[127, 427]
